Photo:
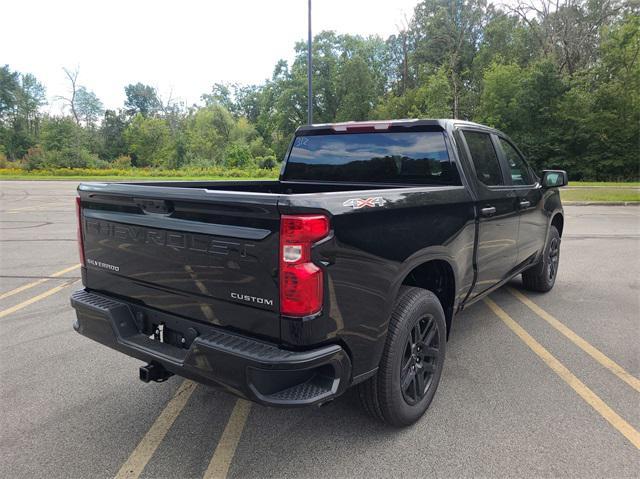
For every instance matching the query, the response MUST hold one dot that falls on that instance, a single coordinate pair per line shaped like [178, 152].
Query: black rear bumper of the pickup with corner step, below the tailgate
[249, 368]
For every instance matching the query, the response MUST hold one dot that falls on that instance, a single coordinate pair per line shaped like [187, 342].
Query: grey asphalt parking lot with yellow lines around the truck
[534, 385]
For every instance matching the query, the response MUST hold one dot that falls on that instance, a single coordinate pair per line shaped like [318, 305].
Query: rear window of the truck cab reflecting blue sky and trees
[404, 157]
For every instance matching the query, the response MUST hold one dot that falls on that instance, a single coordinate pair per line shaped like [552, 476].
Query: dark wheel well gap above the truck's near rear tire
[437, 277]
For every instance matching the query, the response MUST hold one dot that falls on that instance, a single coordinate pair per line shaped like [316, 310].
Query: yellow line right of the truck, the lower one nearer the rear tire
[591, 398]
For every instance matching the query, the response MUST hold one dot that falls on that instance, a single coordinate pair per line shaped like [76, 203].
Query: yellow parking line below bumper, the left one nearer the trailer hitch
[152, 439]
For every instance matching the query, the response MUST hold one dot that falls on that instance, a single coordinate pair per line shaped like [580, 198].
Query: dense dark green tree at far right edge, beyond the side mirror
[600, 113]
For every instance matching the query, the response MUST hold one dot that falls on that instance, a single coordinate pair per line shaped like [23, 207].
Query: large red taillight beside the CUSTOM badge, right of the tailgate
[300, 280]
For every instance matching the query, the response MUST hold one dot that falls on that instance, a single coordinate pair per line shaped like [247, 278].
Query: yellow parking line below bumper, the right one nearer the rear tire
[226, 449]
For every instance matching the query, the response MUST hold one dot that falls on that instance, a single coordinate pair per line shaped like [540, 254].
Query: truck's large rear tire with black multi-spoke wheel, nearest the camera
[417, 319]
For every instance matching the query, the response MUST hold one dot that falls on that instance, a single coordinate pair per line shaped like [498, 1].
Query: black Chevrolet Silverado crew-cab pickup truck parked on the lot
[346, 271]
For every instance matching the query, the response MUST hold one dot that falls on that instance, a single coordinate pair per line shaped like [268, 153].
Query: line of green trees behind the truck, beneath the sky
[561, 77]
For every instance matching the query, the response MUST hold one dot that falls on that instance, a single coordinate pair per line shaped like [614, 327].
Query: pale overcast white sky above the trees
[180, 47]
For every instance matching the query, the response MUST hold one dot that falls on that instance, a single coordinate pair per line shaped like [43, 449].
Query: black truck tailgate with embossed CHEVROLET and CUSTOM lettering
[206, 255]
